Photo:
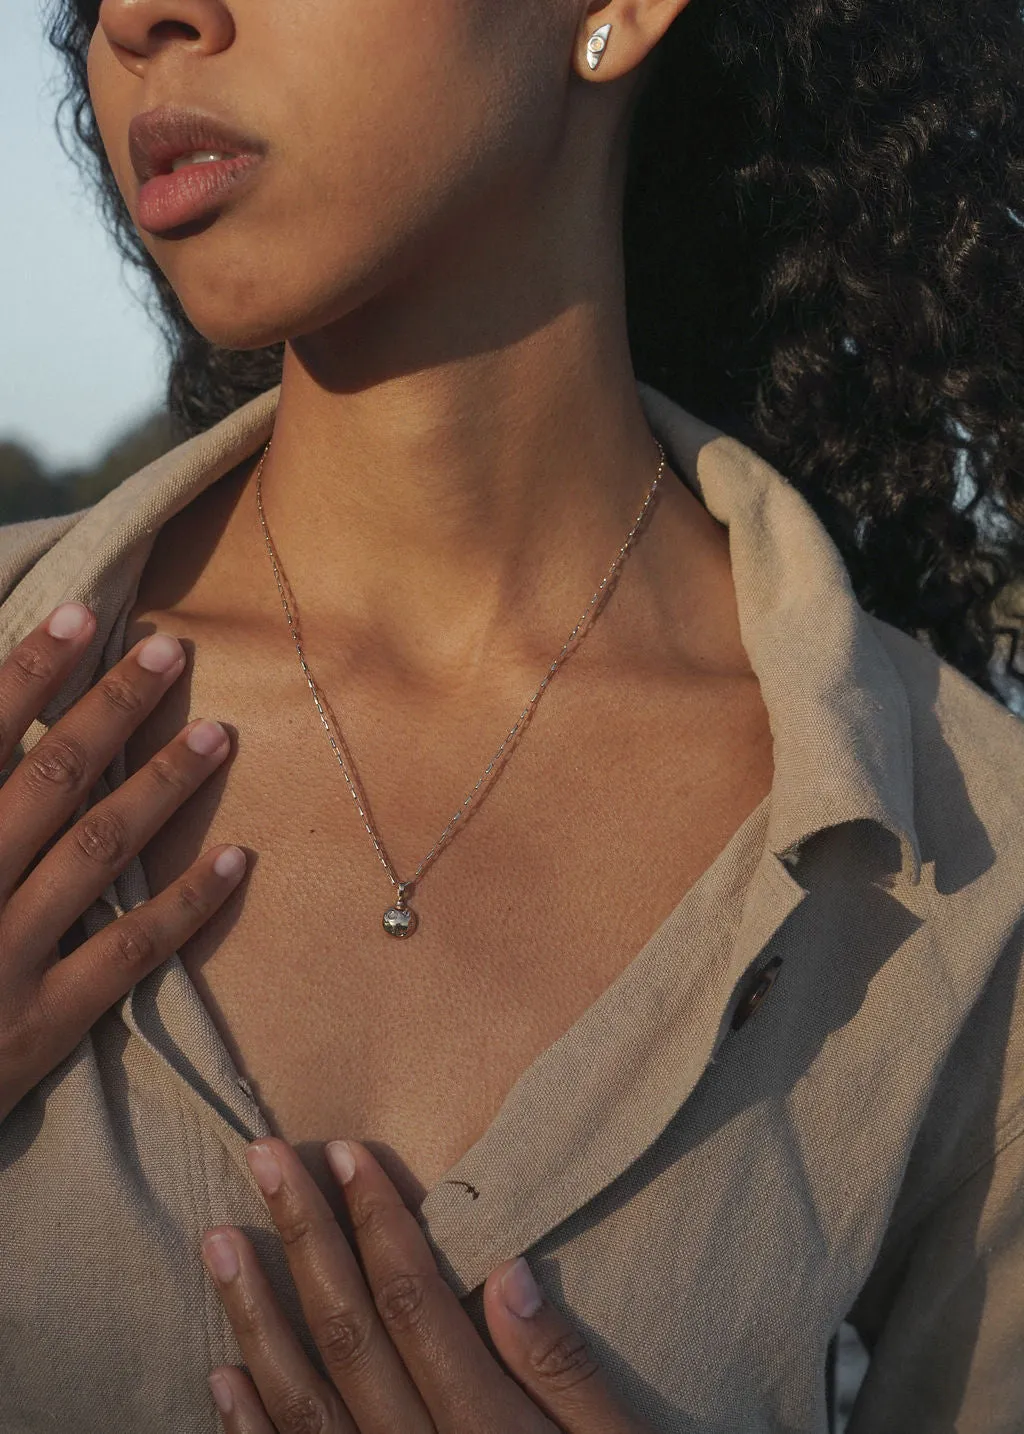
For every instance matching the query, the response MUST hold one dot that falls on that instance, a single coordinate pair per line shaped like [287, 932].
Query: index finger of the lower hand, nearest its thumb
[451, 1366]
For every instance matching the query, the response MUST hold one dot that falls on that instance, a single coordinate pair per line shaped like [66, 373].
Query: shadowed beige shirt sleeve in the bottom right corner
[943, 1313]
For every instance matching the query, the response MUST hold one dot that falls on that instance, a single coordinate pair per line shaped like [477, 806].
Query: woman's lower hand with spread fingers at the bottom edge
[402, 1354]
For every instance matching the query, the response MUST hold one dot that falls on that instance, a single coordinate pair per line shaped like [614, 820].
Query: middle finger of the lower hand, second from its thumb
[358, 1353]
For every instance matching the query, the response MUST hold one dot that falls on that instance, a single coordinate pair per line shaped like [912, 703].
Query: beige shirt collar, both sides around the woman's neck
[837, 706]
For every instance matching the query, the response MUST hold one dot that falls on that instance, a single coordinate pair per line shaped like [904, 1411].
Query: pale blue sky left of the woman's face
[80, 361]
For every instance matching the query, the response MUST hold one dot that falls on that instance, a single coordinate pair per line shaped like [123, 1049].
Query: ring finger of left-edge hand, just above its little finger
[101, 845]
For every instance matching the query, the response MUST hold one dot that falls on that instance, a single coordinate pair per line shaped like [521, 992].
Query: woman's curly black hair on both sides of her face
[824, 239]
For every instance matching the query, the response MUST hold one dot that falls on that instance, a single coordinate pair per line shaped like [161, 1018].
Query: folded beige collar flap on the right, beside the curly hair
[840, 716]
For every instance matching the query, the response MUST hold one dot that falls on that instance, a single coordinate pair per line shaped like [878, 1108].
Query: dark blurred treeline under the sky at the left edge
[29, 491]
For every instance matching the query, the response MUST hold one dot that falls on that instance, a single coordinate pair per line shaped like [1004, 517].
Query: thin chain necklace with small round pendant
[401, 920]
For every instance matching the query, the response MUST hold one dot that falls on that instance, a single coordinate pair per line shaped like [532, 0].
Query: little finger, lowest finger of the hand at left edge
[74, 994]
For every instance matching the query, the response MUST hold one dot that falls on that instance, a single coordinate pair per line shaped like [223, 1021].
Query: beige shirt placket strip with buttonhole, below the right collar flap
[597, 1099]
